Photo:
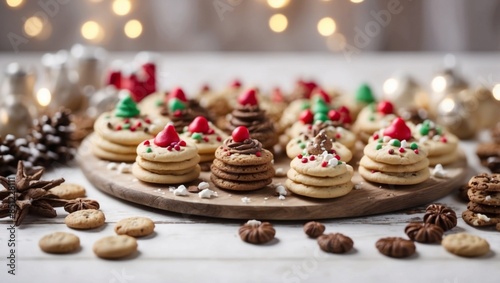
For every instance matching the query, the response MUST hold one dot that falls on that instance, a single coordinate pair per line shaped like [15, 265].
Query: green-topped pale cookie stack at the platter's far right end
[442, 145]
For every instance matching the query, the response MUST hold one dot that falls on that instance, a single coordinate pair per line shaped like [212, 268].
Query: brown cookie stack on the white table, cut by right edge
[483, 208]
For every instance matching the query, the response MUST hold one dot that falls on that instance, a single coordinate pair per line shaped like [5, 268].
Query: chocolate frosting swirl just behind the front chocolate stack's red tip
[251, 117]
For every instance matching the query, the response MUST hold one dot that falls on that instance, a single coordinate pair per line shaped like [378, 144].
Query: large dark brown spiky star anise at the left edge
[29, 195]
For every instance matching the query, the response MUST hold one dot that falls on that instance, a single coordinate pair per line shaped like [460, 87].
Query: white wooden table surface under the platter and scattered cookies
[197, 249]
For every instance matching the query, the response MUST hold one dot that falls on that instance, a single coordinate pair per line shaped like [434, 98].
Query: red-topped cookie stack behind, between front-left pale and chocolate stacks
[206, 137]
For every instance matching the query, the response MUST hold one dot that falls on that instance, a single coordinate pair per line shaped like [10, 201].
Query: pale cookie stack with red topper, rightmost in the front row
[395, 158]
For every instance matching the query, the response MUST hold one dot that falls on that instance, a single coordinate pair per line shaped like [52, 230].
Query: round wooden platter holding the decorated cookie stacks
[366, 199]
